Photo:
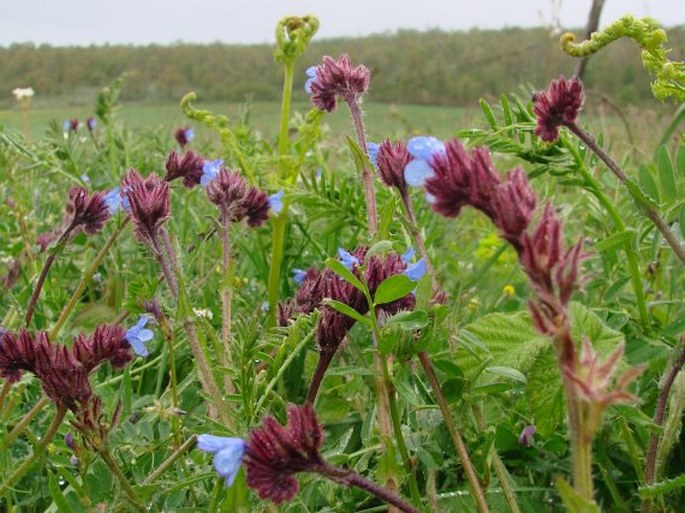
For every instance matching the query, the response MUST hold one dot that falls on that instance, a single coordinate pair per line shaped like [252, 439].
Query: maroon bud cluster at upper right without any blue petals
[558, 105]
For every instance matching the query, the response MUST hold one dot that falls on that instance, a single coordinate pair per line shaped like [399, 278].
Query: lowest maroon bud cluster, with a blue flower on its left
[275, 453]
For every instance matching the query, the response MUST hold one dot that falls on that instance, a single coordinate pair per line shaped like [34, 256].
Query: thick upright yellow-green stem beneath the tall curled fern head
[280, 222]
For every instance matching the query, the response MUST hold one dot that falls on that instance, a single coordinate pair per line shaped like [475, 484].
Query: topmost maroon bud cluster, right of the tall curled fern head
[338, 78]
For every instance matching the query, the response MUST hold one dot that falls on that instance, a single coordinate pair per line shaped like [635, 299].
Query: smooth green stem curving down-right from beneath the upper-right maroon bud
[633, 264]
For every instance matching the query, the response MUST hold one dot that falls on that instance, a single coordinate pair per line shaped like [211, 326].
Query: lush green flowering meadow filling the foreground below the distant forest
[263, 306]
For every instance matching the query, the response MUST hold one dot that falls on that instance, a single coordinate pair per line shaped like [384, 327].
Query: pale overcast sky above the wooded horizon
[84, 22]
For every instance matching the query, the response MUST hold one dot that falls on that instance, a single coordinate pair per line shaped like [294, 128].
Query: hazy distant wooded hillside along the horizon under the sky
[435, 67]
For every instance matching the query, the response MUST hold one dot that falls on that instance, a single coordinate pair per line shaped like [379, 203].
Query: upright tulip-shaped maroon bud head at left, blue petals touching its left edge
[149, 202]
